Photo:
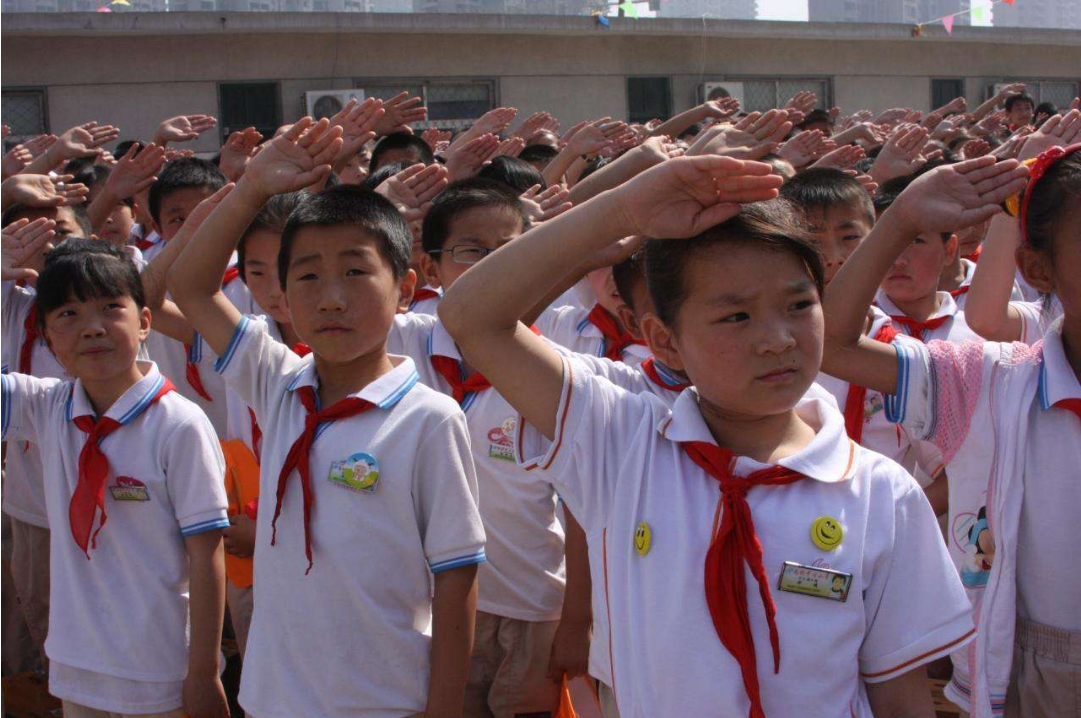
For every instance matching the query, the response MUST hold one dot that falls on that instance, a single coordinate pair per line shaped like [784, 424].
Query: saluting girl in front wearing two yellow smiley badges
[742, 318]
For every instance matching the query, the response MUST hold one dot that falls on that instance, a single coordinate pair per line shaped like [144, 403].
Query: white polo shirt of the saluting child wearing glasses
[525, 576]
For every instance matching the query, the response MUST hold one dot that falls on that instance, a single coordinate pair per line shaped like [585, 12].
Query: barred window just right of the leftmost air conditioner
[451, 104]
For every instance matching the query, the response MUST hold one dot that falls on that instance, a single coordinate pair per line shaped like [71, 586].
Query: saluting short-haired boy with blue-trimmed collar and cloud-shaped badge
[367, 480]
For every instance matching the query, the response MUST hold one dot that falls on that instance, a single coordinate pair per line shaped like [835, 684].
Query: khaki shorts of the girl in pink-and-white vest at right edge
[1046, 681]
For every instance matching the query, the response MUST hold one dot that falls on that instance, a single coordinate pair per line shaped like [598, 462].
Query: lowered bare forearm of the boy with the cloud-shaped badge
[453, 617]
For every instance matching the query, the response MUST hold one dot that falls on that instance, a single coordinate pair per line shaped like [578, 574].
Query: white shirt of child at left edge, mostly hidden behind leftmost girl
[24, 498]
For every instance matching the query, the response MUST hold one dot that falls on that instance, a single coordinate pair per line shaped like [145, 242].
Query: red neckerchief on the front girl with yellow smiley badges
[735, 543]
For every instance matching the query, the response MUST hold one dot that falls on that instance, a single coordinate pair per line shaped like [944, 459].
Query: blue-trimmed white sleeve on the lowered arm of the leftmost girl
[195, 475]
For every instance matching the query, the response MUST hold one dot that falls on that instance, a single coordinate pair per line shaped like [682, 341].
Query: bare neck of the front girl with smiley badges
[766, 440]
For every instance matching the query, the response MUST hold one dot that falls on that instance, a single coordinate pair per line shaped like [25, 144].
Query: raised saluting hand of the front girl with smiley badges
[688, 195]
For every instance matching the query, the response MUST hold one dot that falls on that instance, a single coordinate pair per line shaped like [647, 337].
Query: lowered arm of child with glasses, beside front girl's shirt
[570, 649]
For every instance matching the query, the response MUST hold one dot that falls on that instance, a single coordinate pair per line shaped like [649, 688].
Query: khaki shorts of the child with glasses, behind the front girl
[509, 671]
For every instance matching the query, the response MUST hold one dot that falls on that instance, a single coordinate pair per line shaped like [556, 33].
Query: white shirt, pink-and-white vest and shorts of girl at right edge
[1007, 420]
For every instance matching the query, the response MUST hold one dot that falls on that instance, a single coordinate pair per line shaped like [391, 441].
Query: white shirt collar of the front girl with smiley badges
[830, 457]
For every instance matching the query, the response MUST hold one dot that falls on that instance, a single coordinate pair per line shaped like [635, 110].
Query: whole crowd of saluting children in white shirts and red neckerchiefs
[732, 415]
